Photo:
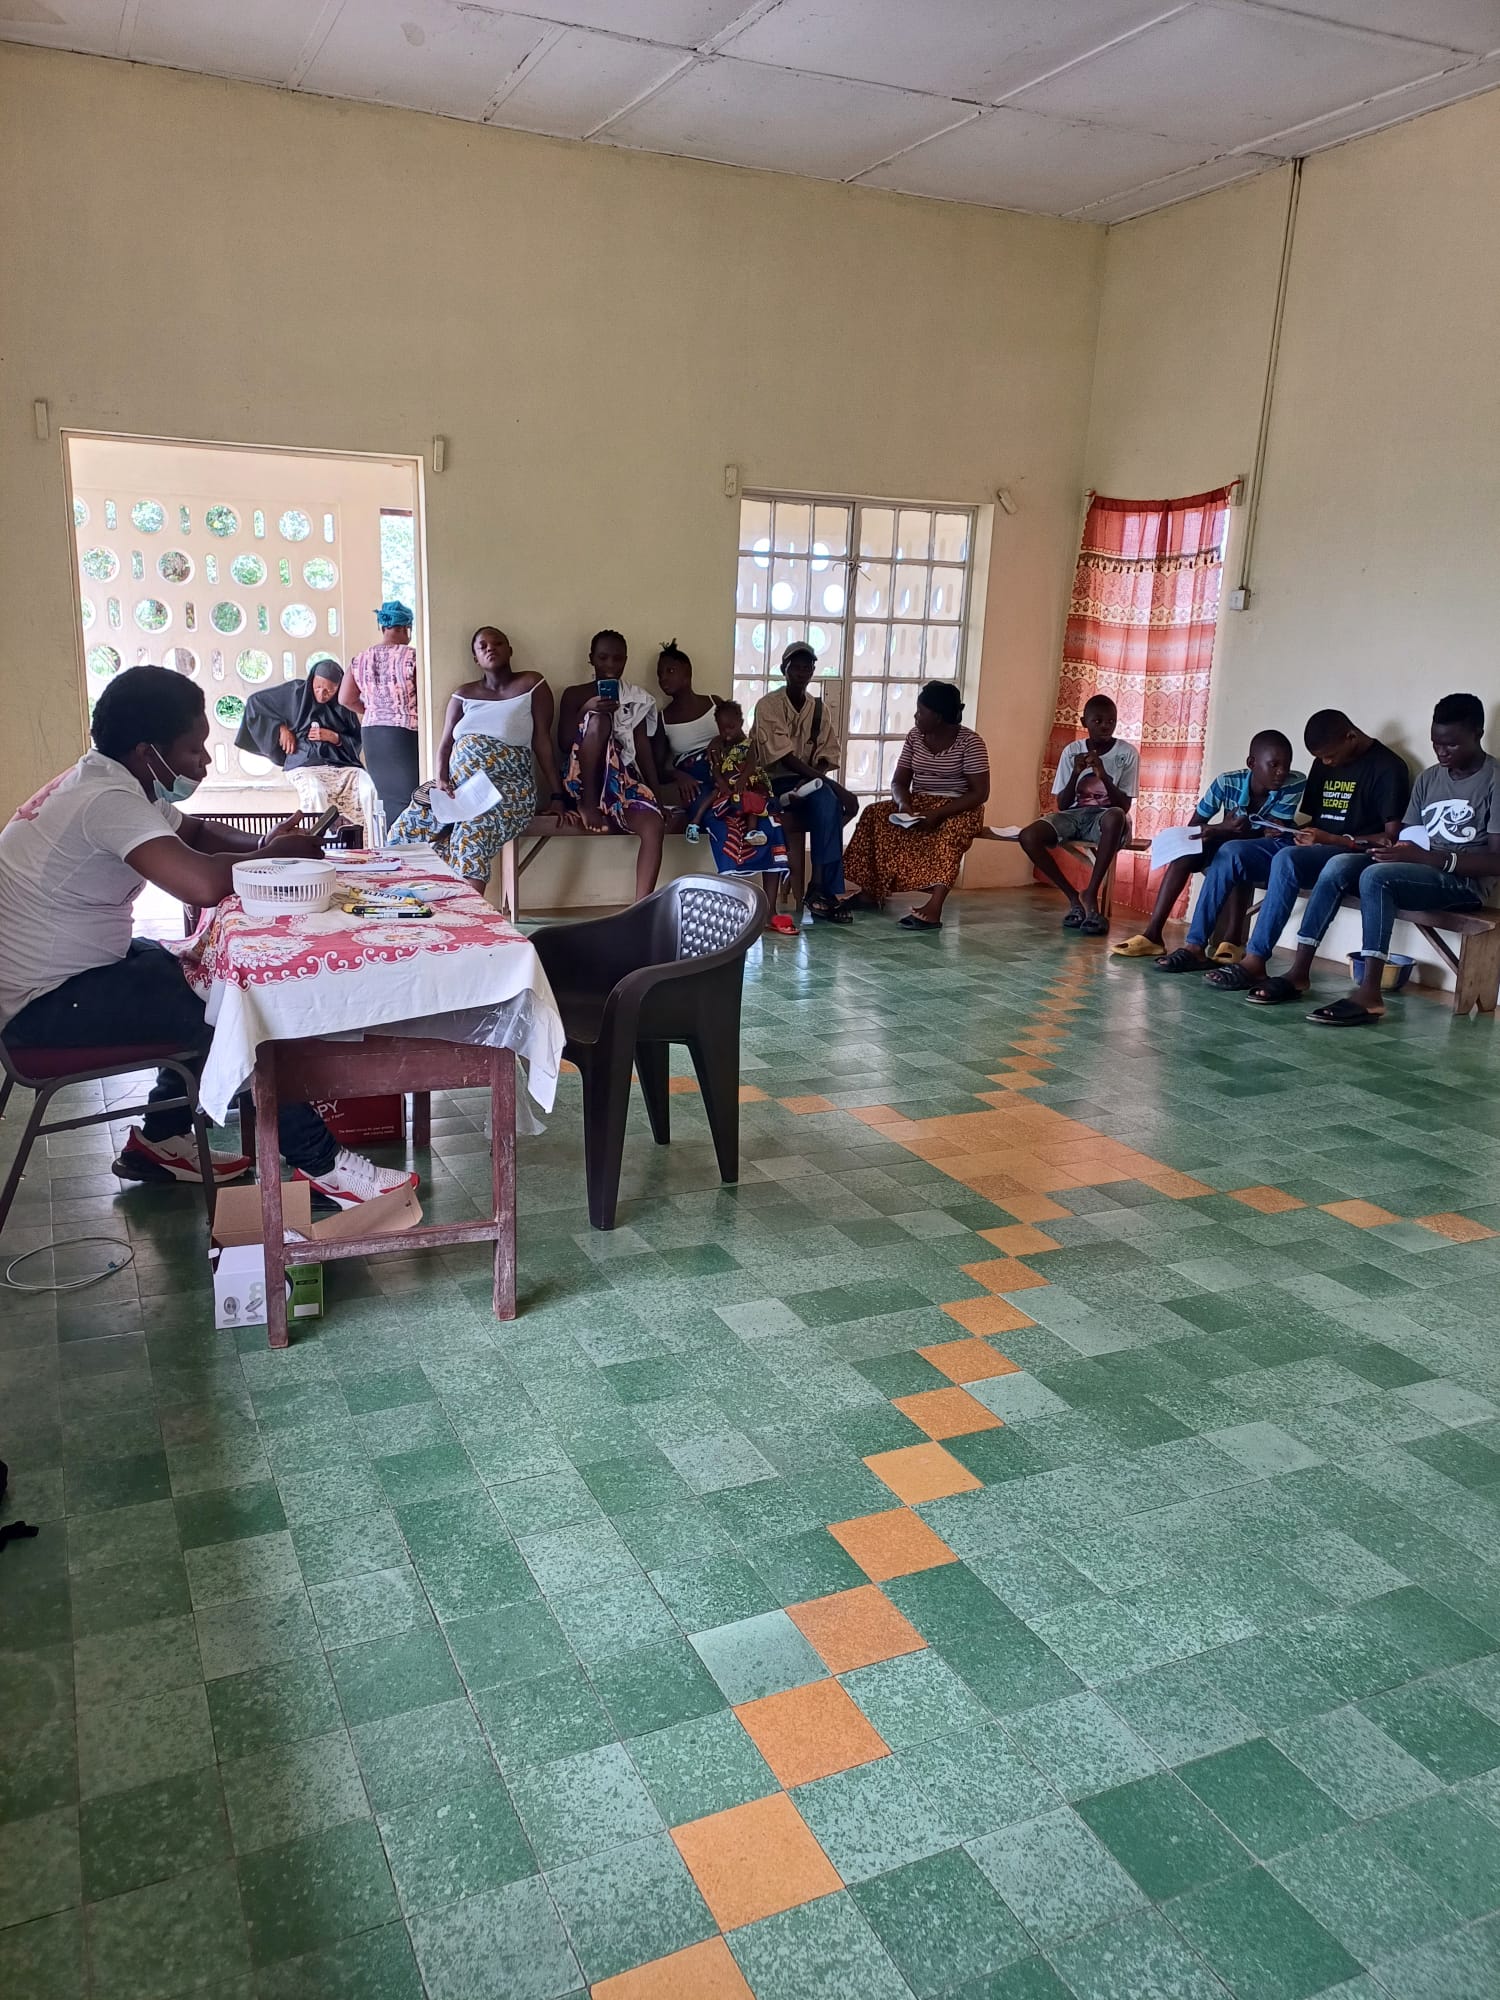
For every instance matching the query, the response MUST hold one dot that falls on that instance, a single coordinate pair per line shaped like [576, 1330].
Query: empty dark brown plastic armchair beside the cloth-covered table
[667, 971]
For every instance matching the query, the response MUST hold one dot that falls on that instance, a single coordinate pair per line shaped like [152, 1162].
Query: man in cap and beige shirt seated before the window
[797, 745]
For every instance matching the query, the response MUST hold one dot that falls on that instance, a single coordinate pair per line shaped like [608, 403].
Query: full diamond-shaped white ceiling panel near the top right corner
[1227, 75]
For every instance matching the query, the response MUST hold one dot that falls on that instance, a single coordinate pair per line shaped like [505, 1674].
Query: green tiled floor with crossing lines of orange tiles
[1037, 1537]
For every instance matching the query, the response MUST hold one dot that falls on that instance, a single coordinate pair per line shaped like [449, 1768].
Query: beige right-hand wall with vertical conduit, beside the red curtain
[1377, 585]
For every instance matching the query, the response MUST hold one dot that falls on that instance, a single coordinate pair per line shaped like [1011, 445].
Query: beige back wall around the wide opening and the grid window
[595, 333]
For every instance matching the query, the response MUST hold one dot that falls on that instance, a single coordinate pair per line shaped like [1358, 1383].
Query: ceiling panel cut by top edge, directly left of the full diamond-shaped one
[965, 49]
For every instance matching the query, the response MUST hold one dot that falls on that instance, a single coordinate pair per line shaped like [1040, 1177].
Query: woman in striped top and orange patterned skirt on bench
[941, 781]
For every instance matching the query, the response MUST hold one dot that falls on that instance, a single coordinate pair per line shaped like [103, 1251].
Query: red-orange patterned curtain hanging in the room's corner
[1141, 629]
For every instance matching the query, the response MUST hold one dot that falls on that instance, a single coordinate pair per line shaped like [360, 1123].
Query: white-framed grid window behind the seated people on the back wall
[881, 595]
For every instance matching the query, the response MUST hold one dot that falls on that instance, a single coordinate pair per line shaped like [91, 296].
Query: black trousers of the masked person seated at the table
[147, 999]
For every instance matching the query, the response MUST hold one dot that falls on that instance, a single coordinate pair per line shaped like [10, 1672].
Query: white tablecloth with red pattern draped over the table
[463, 975]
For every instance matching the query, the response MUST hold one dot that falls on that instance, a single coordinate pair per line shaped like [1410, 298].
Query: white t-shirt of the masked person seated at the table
[67, 883]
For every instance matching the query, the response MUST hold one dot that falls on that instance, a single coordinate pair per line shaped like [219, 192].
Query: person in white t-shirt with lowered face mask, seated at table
[73, 863]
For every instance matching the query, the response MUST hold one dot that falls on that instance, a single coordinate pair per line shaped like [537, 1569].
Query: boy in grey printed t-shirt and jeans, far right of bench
[1457, 807]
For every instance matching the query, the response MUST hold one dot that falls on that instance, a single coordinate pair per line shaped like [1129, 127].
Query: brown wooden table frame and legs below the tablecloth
[375, 1067]
